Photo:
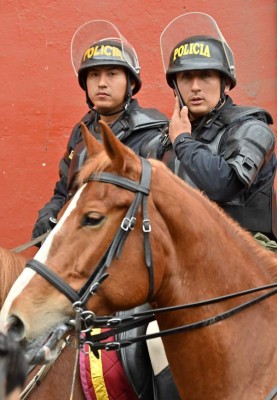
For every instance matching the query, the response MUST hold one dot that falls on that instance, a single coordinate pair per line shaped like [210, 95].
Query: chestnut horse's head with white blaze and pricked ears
[74, 249]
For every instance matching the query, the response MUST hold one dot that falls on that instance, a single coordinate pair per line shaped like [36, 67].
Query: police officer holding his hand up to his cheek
[225, 150]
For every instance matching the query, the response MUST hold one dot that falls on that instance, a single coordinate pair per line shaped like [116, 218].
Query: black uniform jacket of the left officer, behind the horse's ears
[138, 128]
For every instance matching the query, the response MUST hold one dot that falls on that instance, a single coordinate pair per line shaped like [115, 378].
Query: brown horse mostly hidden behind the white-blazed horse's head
[56, 383]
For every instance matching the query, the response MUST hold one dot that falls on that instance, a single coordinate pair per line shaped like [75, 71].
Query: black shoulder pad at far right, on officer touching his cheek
[235, 113]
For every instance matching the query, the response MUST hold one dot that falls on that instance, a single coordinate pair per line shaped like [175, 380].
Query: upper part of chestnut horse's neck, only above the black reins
[205, 249]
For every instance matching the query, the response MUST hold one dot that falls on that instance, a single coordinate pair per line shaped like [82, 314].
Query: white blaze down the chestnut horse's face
[27, 274]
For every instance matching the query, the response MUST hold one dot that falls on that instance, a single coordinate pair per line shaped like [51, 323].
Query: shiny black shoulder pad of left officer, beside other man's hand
[146, 118]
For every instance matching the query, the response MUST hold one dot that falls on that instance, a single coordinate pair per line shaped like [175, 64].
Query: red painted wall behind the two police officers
[40, 98]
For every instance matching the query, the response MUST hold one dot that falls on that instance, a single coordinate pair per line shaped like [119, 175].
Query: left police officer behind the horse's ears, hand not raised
[109, 73]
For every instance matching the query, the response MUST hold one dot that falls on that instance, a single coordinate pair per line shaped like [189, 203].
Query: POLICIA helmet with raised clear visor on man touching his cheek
[193, 41]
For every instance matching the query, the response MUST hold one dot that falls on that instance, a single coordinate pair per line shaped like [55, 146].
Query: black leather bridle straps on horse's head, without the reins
[99, 274]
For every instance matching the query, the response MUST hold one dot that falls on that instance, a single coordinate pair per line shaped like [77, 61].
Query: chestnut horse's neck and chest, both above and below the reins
[203, 255]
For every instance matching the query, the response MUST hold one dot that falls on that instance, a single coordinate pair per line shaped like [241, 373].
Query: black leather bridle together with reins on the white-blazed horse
[86, 320]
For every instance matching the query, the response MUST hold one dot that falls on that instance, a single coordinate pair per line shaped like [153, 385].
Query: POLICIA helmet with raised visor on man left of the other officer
[99, 43]
